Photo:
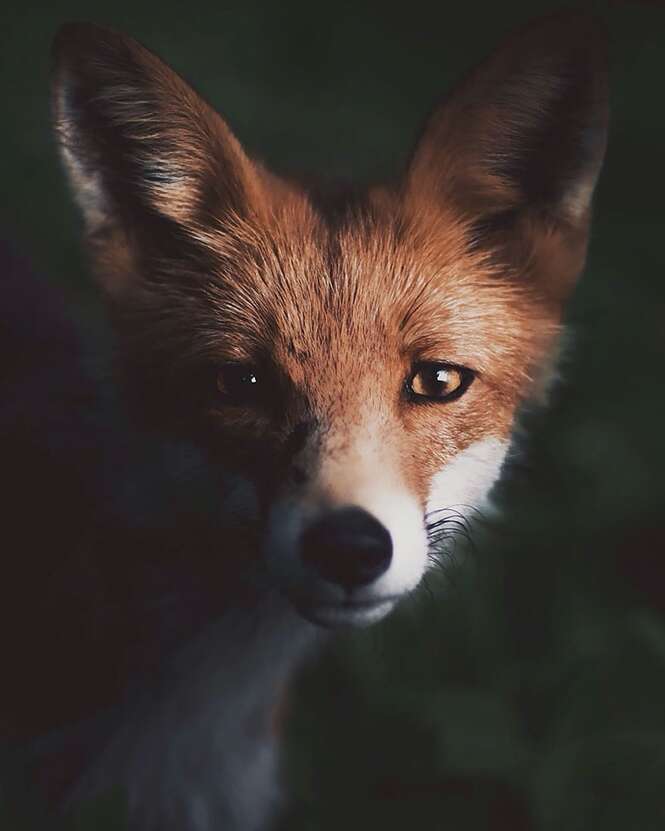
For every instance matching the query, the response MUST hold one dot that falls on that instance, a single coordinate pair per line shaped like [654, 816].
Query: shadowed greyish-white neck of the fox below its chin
[210, 718]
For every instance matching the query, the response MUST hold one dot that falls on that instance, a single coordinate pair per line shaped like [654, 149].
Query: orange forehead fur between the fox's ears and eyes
[379, 279]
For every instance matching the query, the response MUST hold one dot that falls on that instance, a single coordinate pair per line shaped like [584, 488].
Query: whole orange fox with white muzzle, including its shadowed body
[347, 368]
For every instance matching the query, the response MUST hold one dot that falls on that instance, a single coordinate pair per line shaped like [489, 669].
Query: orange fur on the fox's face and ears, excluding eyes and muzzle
[207, 258]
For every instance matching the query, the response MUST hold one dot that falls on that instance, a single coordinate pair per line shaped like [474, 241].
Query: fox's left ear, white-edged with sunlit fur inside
[136, 139]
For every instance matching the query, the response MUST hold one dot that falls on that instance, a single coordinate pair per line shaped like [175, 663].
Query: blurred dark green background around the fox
[527, 688]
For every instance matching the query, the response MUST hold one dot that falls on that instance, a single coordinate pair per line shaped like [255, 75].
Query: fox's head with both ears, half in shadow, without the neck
[359, 361]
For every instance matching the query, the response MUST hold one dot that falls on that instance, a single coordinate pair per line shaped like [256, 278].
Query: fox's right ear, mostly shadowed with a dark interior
[526, 130]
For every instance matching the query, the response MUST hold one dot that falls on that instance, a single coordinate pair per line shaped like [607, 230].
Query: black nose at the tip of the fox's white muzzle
[348, 547]
